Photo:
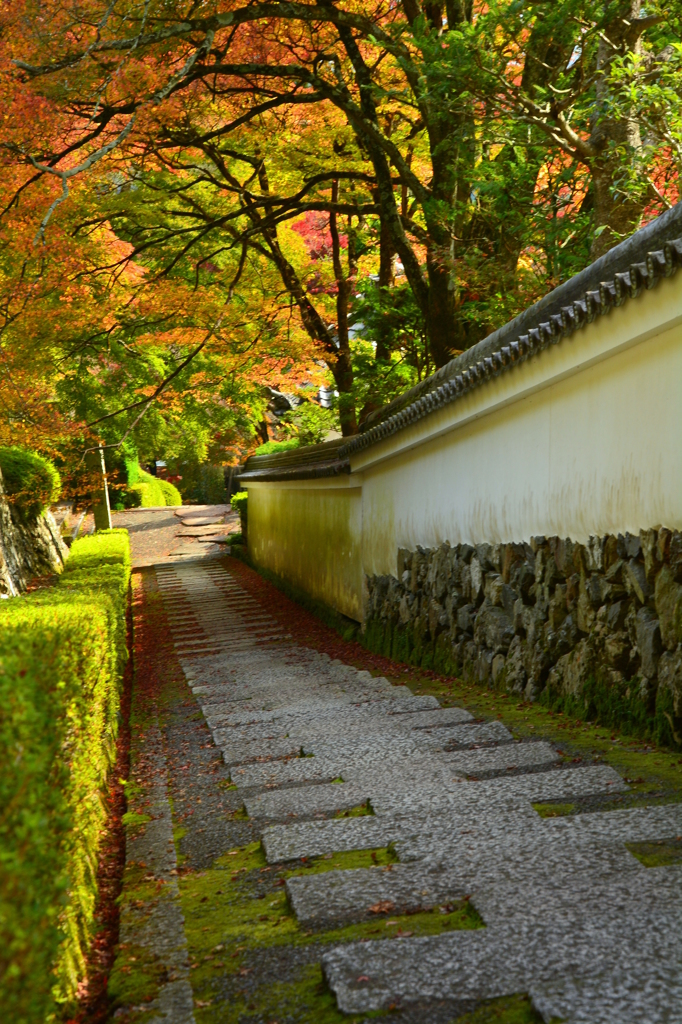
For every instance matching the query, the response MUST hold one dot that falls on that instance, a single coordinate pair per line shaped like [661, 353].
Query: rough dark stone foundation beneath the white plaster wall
[595, 629]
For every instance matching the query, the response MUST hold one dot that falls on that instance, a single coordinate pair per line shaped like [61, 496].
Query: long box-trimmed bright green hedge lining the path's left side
[63, 651]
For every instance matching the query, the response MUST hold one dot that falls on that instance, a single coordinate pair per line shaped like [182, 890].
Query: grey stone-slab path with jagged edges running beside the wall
[572, 918]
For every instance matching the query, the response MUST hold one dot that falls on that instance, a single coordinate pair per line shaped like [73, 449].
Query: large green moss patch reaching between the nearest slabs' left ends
[249, 958]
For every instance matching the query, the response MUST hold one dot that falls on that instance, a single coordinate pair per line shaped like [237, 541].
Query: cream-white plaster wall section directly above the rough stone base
[584, 440]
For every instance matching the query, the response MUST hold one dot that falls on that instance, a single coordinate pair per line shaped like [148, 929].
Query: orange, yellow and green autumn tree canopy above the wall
[202, 198]
